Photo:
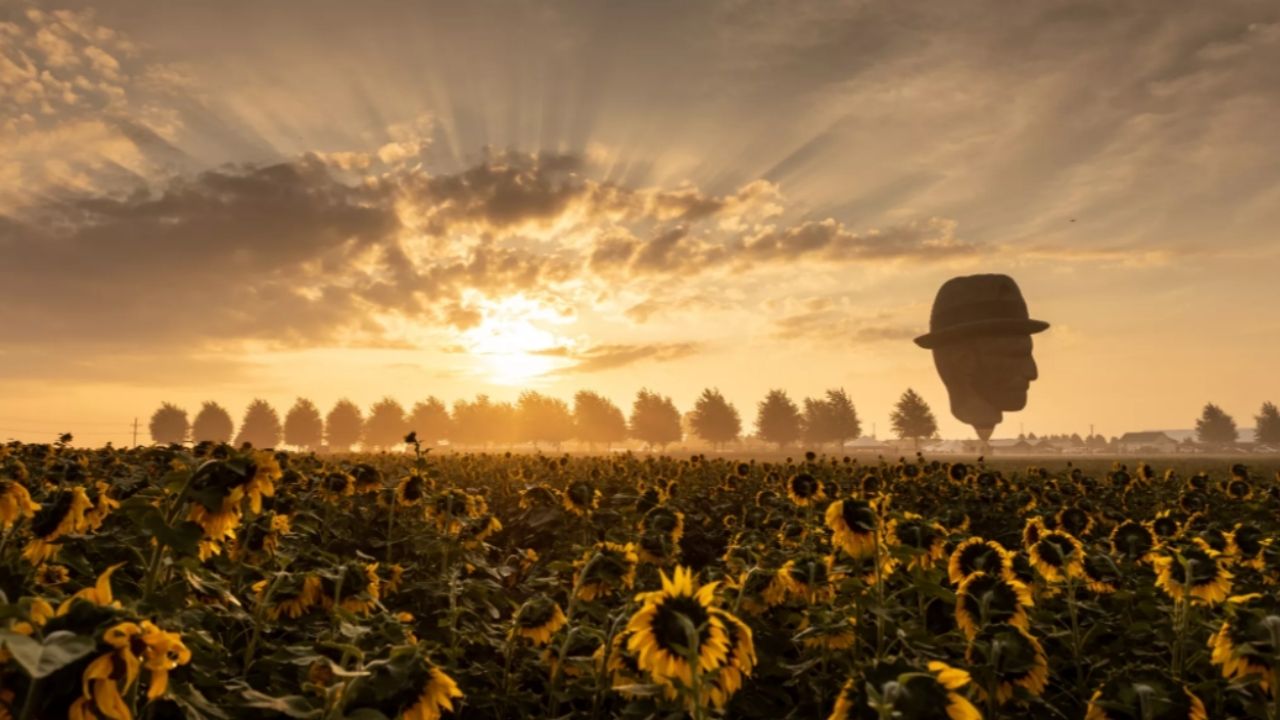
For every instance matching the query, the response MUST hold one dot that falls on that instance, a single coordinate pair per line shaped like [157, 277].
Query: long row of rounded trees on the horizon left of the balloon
[537, 418]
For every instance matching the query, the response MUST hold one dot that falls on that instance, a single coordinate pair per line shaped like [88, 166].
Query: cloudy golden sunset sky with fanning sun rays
[232, 200]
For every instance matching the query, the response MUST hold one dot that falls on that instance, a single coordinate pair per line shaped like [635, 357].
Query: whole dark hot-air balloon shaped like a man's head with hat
[981, 338]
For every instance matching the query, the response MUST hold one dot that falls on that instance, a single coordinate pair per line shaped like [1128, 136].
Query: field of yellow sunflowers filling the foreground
[235, 584]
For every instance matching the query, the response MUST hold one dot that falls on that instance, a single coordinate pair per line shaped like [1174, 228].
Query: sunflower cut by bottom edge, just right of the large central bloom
[907, 692]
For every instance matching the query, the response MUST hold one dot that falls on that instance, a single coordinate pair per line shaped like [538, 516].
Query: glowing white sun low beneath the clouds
[511, 347]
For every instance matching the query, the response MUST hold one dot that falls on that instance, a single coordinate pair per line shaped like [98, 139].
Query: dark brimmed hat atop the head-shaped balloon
[977, 306]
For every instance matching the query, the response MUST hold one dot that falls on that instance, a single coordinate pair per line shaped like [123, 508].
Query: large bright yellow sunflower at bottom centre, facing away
[660, 634]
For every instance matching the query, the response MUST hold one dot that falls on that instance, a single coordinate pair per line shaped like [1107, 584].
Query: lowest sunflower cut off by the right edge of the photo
[1246, 645]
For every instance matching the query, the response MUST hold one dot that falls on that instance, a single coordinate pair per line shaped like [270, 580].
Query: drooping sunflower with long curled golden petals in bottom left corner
[127, 649]
